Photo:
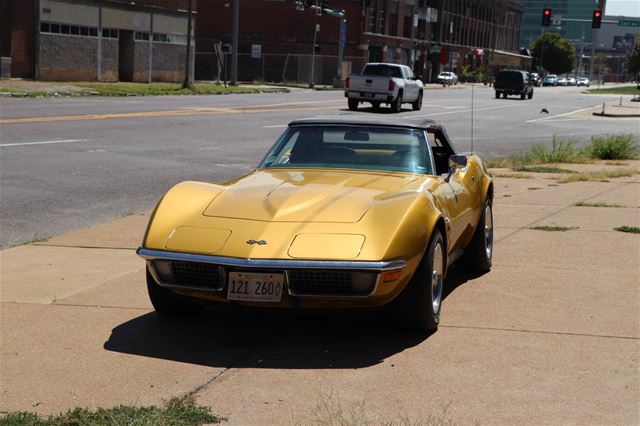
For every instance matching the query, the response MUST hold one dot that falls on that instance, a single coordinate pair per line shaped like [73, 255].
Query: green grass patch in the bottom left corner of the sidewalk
[176, 411]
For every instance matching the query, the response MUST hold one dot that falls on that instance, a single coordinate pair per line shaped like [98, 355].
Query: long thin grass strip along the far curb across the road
[156, 89]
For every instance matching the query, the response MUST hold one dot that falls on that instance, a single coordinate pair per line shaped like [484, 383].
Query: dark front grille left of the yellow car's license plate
[189, 274]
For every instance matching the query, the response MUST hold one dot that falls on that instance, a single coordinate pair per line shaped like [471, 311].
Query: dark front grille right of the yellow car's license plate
[331, 283]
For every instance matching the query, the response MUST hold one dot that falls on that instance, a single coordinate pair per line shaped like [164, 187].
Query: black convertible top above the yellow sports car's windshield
[364, 120]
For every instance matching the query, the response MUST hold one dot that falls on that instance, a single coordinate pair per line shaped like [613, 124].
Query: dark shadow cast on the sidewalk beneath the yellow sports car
[242, 338]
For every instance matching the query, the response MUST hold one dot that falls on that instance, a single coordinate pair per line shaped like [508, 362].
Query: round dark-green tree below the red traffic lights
[554, 52]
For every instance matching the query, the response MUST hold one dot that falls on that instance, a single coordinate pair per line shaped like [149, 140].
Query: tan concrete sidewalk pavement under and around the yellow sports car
[550, 336]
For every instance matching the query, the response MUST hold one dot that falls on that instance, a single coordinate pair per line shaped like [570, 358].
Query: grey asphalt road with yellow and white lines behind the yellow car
[67, 163]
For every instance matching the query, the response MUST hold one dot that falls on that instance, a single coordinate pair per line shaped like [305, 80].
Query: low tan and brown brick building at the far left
[105, 40]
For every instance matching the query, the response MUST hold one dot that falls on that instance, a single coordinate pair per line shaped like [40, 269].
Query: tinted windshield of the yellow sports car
[351, 147]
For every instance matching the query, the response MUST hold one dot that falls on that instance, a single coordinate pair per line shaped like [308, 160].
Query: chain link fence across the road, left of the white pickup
[276, 68]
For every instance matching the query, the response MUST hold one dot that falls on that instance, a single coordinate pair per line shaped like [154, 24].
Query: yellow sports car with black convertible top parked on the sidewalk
[342, 212]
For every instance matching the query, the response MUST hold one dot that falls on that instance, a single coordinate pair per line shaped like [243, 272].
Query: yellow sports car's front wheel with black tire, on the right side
[420, 303]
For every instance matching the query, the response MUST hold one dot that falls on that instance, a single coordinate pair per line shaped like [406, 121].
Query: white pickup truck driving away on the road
[382, 83]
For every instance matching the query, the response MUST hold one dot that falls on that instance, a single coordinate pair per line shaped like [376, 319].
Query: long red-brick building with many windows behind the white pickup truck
[428, 35]
